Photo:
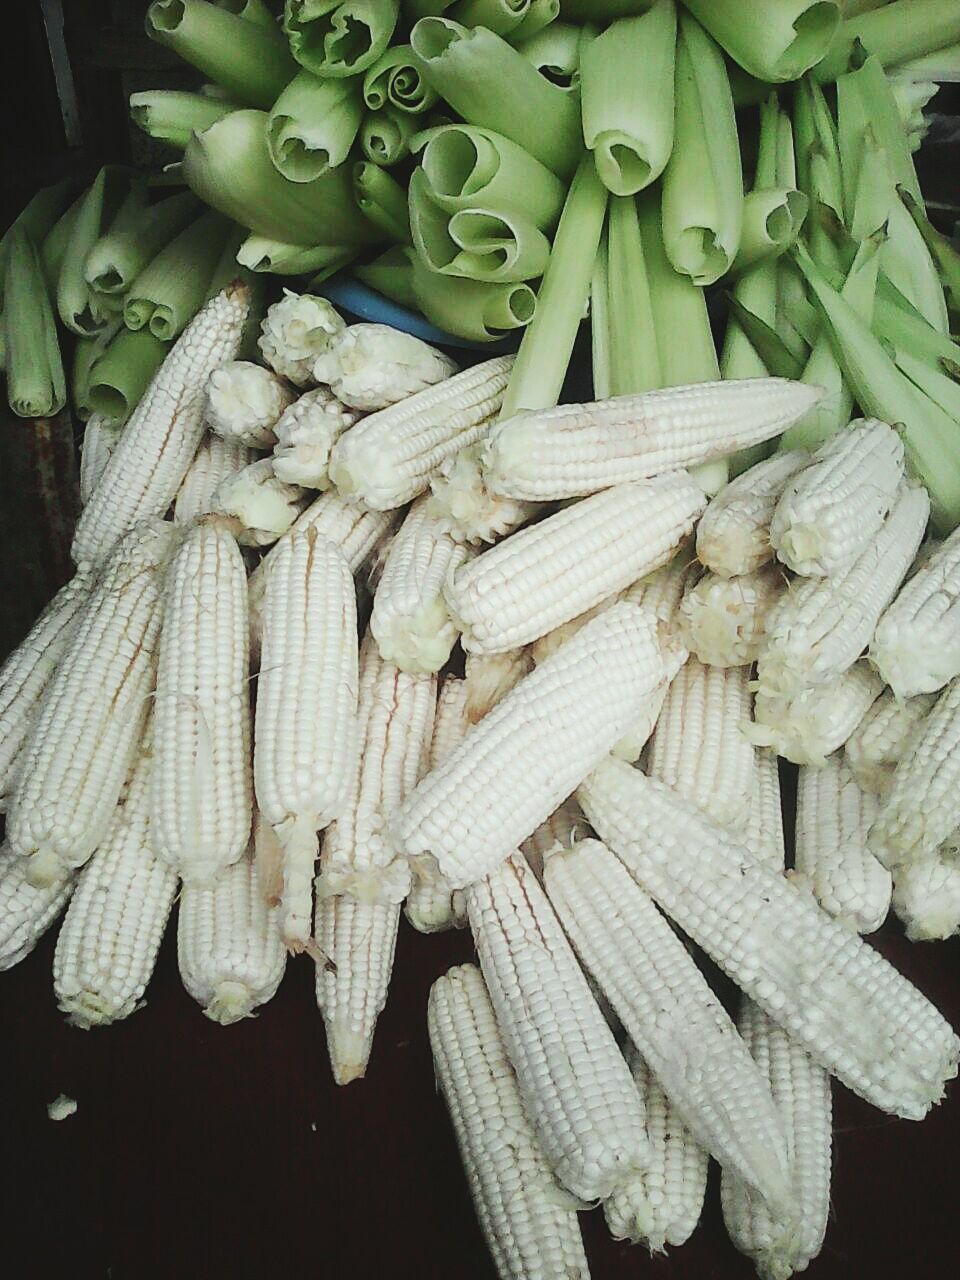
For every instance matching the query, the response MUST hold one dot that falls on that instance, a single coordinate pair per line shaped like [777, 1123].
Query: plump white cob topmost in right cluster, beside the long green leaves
[831, 513]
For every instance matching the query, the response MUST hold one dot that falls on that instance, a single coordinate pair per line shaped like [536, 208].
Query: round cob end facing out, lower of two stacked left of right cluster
[724, 620]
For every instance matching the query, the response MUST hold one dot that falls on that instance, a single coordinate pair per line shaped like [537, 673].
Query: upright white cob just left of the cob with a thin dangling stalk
[203, 784]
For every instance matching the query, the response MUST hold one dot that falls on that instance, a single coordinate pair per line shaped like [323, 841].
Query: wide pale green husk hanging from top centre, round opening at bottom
[629, 118]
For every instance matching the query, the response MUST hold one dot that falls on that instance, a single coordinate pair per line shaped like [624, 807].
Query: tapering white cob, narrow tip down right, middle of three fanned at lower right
[670, 1013]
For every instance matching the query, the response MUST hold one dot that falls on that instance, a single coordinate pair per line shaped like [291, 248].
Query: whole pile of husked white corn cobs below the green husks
[258, 650]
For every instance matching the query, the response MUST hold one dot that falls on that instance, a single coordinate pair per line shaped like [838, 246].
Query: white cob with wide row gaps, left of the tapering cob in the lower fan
[575, 1084]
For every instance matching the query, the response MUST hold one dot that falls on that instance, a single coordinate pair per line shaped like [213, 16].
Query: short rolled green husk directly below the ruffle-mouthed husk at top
[313, 125]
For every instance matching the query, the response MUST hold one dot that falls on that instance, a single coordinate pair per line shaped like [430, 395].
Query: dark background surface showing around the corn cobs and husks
[207, 1151]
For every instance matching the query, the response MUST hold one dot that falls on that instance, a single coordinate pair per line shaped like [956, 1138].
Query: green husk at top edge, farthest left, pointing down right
[249, 61]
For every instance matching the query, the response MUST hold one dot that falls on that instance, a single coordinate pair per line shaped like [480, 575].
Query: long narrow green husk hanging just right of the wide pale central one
[703, 195]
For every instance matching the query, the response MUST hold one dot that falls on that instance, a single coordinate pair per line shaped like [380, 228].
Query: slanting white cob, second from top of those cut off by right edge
[922, 808]
